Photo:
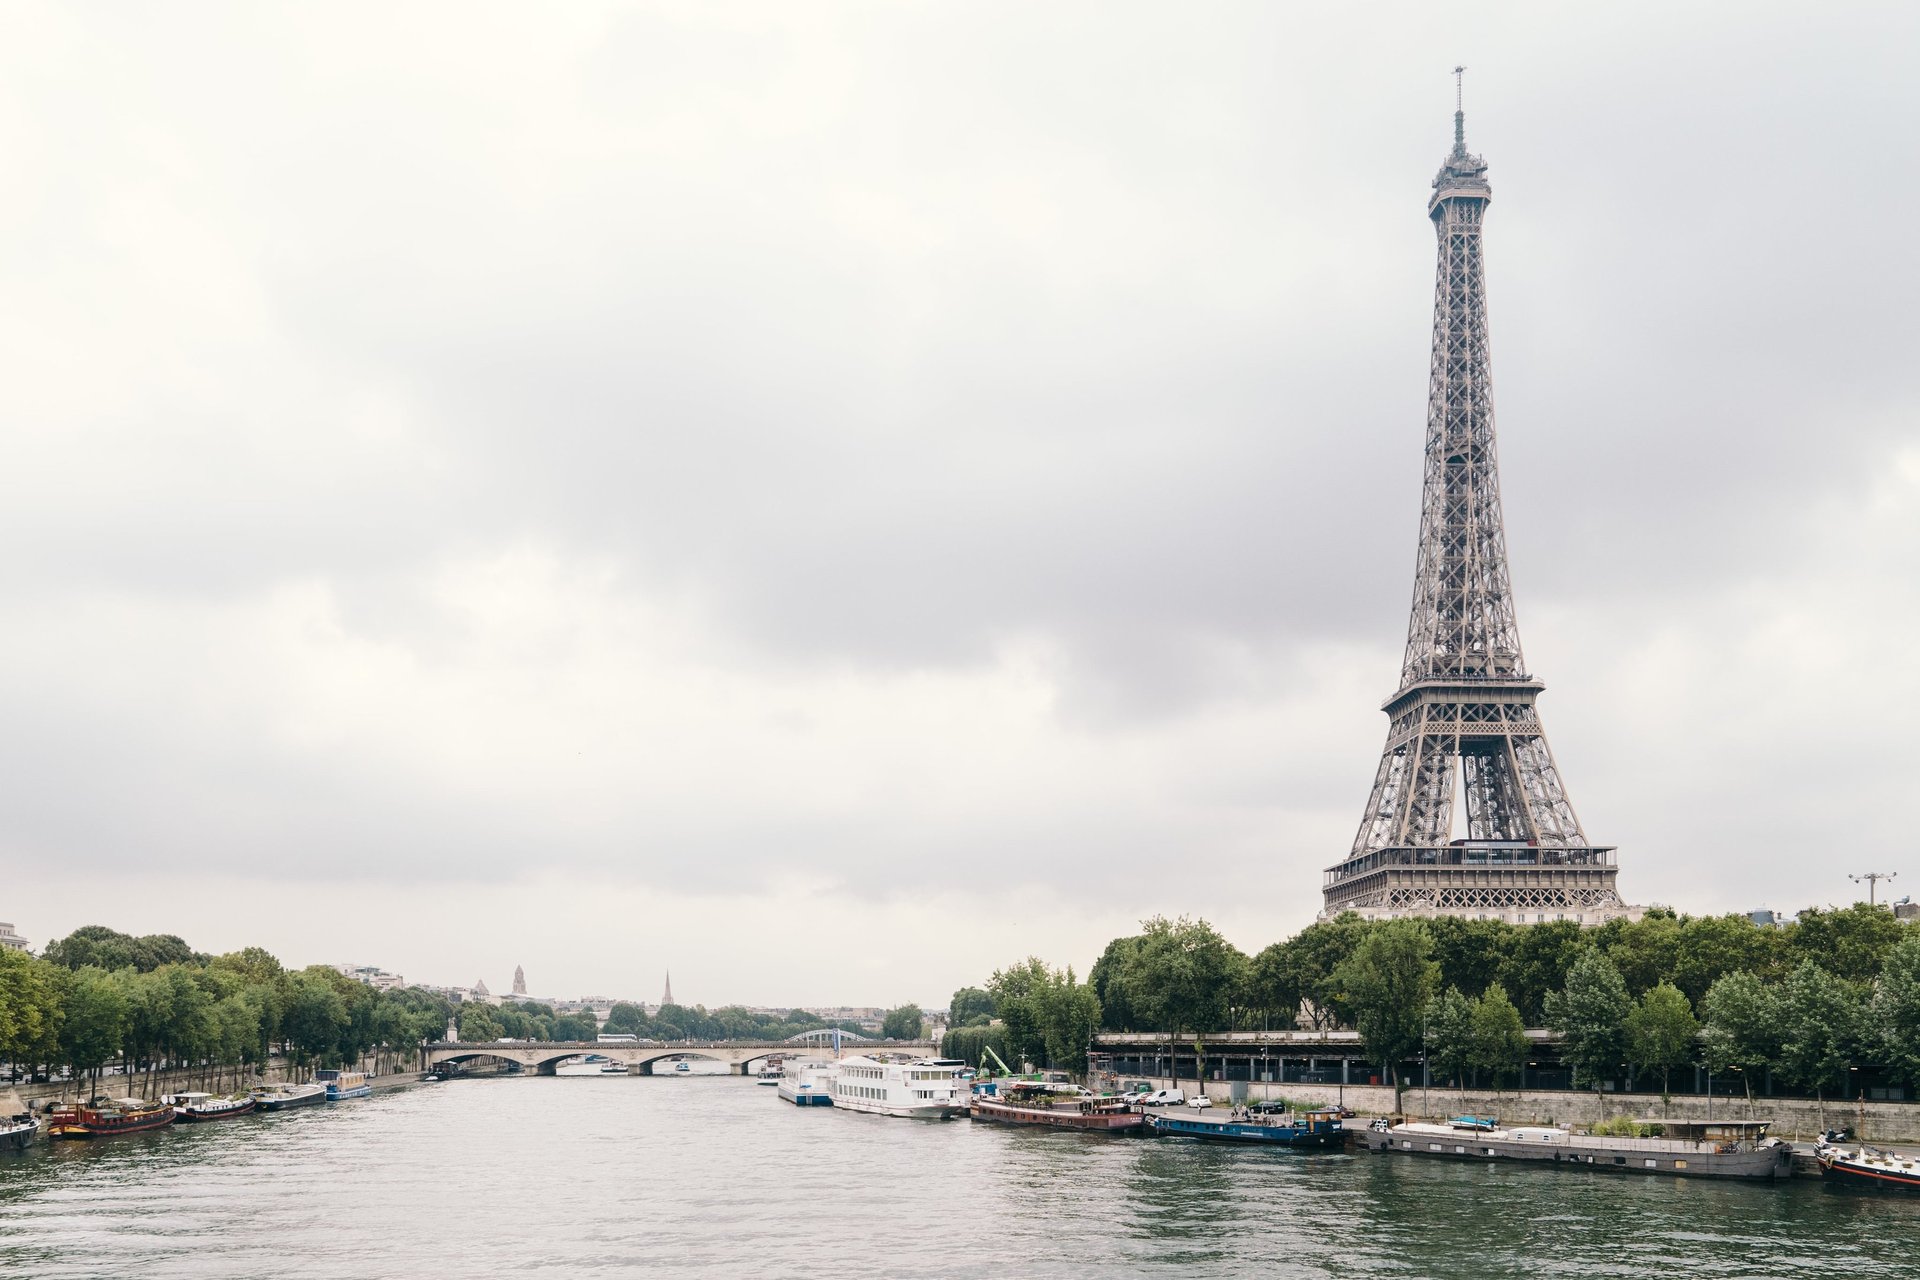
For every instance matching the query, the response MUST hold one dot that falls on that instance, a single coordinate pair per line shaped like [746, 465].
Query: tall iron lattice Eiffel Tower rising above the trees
[1466, 705]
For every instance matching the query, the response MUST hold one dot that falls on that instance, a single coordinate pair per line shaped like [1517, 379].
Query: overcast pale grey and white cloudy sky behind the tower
[836, 498]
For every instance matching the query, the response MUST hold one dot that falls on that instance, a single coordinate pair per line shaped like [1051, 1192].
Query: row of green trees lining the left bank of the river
[103, 997]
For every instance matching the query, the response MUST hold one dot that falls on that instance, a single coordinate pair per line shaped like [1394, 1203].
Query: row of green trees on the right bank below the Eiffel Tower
[1831, 991]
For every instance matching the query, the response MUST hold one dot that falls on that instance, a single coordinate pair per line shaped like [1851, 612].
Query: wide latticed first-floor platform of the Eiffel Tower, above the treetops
[1479, 880]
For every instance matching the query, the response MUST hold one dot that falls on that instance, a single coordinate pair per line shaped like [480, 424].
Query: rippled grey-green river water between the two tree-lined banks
[717, 1177]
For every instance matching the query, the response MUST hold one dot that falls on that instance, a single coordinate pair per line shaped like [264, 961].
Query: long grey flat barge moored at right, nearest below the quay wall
[1685, 1149]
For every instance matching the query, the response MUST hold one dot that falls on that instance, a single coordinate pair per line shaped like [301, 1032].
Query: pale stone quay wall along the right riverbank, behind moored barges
[1798, 1120]
